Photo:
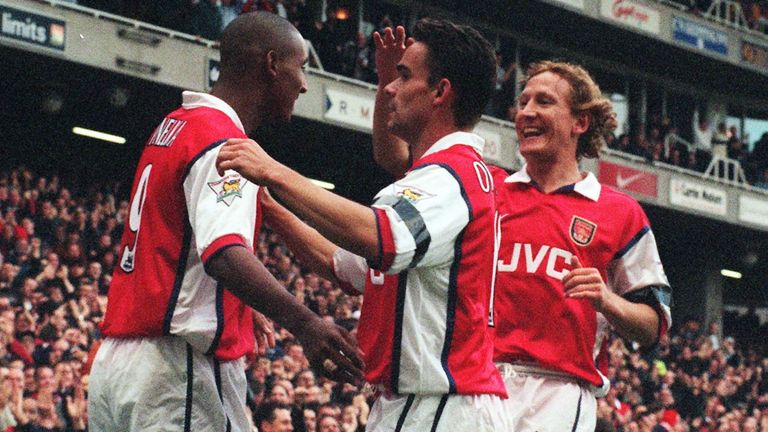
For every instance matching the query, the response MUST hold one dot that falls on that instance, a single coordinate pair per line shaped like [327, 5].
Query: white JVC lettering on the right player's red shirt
[557, 260]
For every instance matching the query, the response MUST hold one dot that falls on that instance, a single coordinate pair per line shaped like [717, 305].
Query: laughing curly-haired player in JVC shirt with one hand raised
[574, 258]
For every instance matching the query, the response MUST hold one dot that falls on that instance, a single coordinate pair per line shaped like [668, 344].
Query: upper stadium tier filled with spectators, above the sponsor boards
[343, 50]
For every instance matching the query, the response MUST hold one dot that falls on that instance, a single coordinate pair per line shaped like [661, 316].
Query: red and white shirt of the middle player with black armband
[423, 325]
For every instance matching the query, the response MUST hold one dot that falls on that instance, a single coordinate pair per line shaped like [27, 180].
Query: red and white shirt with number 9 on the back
[182, 213]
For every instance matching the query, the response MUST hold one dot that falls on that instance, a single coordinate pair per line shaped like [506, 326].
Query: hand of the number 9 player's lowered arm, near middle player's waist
[332, 351]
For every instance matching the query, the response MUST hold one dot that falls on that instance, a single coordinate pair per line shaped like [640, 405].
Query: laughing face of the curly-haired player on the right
[546, 127]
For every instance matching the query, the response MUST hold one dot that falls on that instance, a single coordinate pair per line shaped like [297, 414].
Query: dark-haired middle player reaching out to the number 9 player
[423, 252]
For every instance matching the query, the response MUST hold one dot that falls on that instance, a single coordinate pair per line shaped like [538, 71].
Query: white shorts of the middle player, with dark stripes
[435, 413]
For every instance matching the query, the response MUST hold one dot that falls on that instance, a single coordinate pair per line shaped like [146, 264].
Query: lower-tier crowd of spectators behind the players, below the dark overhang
[57, 252]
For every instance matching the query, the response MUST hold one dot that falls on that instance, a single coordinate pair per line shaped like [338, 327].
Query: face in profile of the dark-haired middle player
[411, 94]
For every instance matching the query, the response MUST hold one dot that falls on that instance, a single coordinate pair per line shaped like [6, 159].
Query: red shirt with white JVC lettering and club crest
[539, 233]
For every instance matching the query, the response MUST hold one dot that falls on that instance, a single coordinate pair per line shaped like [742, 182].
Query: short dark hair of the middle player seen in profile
[464, 57]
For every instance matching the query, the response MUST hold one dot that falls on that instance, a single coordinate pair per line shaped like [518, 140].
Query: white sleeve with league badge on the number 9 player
[222, 210]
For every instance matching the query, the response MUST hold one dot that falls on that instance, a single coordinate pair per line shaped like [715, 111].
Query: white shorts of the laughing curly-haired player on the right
[546, 401]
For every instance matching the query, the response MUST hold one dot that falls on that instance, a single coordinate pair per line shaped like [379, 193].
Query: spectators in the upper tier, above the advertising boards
[343, 50]
